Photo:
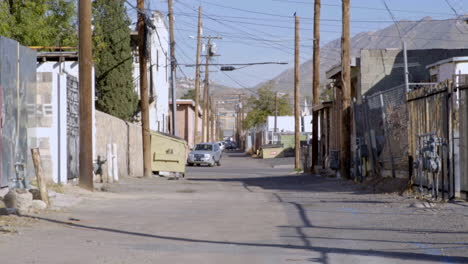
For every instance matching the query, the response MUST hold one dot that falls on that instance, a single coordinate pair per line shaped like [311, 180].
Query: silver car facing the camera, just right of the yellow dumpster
[205, 154]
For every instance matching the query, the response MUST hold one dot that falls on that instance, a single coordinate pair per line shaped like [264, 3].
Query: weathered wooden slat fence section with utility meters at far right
[434, 138]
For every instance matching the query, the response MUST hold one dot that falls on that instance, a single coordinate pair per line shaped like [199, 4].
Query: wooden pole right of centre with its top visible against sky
[297, 150]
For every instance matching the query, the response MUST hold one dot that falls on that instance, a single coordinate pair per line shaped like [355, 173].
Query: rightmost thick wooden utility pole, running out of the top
[346, 92]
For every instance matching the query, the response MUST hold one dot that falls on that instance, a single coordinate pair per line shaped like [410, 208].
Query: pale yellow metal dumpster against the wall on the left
[168, 153]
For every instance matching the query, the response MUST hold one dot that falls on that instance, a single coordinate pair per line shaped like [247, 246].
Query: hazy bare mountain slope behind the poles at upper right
[424, 34]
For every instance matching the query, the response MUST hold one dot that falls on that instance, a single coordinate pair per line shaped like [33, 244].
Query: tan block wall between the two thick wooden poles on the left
[111, 130]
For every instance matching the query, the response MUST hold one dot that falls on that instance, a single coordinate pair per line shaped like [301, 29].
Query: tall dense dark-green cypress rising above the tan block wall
[116, 94]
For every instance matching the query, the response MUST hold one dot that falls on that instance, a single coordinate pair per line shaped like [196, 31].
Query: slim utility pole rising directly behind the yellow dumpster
[173, 67]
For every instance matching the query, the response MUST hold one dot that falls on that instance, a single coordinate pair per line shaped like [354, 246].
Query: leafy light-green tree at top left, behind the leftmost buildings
[39, 22]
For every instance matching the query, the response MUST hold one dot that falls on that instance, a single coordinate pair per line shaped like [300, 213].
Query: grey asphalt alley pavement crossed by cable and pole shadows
[242, 212]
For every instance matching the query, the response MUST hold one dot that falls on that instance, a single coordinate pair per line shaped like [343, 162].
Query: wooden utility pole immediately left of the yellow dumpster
[144, 97]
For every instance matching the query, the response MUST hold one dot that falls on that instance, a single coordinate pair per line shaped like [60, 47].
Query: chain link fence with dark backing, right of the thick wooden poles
[381, 125]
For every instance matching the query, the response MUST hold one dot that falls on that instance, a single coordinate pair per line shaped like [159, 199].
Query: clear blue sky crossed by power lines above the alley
[263, 30]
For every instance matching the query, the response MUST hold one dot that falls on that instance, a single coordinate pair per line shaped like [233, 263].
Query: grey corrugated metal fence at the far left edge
[17, 77]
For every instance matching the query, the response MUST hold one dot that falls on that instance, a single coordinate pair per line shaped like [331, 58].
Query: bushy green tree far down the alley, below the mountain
[264, 106]
